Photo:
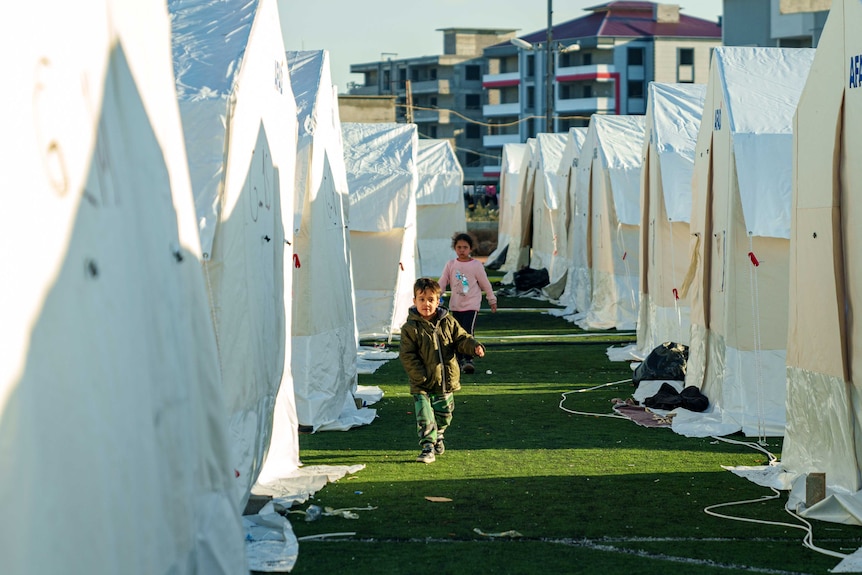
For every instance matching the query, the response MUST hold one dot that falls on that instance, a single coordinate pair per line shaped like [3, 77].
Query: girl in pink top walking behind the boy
[468, 280]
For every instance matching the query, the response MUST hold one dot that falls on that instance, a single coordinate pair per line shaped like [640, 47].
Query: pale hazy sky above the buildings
[361, 31]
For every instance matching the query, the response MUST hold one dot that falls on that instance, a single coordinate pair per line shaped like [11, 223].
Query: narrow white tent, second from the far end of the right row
[519, 215]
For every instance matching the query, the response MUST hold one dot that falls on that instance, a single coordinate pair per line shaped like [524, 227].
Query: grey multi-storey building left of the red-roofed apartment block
[441, 94]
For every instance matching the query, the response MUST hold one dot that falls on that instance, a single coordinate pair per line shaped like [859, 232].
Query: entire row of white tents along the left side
[194, 249]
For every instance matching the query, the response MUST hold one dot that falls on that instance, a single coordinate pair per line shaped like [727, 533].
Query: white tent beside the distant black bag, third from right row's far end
[549, 233]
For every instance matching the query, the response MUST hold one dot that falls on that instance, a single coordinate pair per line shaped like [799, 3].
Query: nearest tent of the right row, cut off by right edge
[824, 420]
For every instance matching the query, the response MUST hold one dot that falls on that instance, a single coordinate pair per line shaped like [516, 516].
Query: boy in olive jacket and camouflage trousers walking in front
[430, 342]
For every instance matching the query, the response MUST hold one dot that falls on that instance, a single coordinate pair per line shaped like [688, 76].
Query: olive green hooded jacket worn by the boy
[428, 351]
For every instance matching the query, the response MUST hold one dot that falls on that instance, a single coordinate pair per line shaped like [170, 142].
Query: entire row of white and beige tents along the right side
[723, 220]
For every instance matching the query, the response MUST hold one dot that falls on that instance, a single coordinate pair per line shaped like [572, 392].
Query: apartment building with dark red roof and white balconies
[600, 63]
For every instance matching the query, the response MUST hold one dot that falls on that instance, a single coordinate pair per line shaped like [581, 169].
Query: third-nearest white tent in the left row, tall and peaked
[324, 342]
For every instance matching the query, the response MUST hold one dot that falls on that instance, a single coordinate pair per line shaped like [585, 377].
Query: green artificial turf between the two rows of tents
[587, 494]
